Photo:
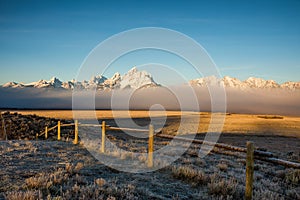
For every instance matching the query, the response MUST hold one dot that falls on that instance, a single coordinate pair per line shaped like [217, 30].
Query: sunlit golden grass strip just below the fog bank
[234, 123]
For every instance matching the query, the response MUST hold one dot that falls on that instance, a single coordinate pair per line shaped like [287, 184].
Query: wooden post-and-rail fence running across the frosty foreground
[251, 153]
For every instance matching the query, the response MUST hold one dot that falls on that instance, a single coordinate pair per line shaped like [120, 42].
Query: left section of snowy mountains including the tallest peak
[132, 79]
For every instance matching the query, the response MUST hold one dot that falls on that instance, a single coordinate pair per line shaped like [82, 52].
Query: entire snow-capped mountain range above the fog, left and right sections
[135, 79]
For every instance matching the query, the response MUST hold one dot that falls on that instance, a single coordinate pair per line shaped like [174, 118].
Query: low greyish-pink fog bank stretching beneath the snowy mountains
[256, 101]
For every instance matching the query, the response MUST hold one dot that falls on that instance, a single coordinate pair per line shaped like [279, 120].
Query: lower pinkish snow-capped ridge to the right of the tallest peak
[251, 82]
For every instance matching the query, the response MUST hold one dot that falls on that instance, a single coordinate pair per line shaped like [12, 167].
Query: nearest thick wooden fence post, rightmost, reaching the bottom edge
[249, 171]
